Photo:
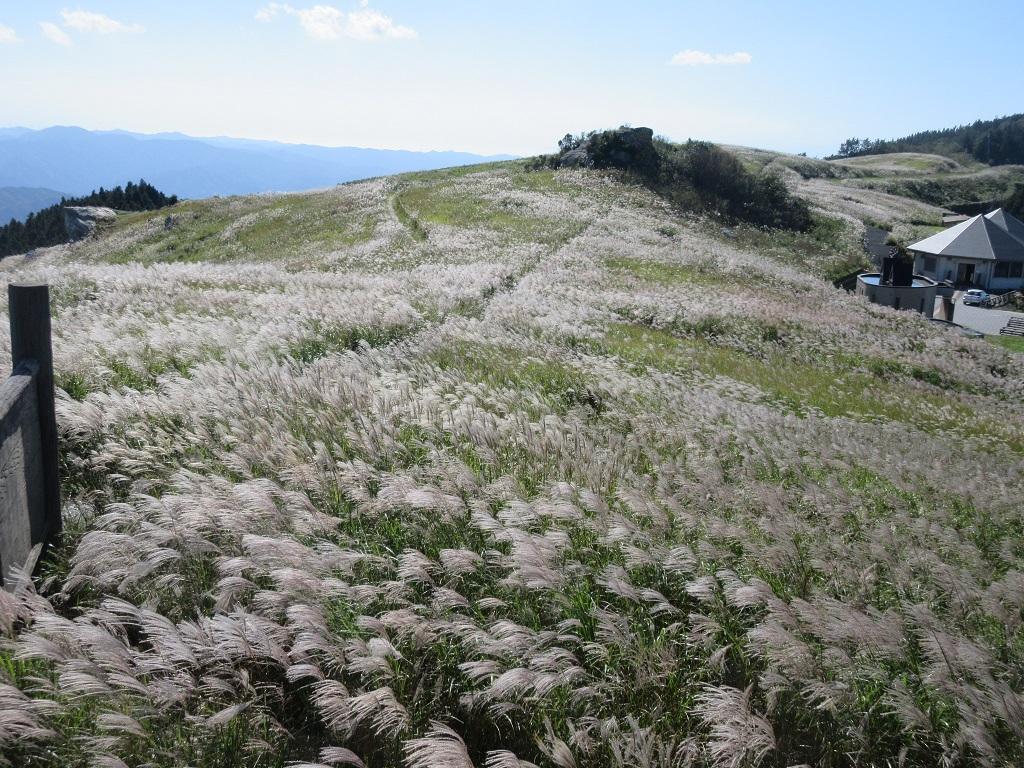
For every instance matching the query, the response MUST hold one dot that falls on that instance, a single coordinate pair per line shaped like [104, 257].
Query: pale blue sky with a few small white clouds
[494, 77]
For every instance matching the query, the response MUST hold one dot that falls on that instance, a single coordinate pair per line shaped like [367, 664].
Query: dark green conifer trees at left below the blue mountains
[47, 228]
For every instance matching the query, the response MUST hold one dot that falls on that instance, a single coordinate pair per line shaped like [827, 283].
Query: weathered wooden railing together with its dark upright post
[30, 488]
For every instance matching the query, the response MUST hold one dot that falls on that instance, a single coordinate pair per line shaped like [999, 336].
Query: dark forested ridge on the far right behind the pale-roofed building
[999, 142]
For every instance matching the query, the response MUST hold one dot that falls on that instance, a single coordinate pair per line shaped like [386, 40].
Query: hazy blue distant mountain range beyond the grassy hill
[78, 161]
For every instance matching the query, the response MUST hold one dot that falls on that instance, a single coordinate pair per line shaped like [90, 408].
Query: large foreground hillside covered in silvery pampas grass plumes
[508, 468]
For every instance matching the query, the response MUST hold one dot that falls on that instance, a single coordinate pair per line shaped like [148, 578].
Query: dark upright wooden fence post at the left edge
[29, 308]
